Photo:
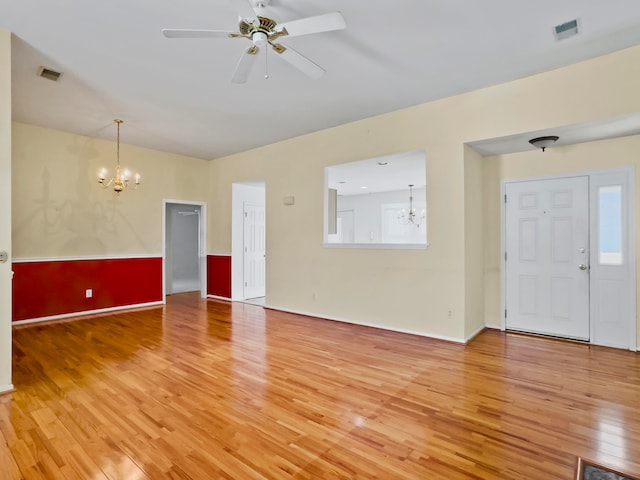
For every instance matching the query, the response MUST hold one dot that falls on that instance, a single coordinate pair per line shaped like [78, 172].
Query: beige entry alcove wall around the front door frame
[619, 152]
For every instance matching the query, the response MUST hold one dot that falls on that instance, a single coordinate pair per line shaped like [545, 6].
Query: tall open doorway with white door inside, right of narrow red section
[248, 264]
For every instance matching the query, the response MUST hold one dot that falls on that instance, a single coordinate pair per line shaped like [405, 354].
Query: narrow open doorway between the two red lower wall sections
[184, 240]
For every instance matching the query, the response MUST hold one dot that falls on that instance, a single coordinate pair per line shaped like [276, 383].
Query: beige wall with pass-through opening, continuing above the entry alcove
[411, 290]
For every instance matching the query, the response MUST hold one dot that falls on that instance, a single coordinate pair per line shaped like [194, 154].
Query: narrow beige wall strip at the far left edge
[5, 208]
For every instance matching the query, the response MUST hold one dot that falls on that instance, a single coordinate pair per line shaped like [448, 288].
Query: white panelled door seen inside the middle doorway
[254, 251]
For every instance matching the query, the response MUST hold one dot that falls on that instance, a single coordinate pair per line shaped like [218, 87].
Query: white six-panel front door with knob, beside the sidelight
[547, 257]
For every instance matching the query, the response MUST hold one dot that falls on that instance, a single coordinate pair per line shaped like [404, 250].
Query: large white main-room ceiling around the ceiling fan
[175, 94]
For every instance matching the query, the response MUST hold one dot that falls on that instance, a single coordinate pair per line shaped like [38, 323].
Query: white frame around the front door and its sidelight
[630, 238]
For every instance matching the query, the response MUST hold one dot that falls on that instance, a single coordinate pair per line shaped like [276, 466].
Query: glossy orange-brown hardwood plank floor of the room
[203, 389]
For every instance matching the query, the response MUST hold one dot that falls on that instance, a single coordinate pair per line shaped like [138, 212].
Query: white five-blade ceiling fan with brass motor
[263, 31]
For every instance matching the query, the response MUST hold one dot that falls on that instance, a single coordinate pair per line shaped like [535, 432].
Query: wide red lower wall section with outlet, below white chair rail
[42, 289]
